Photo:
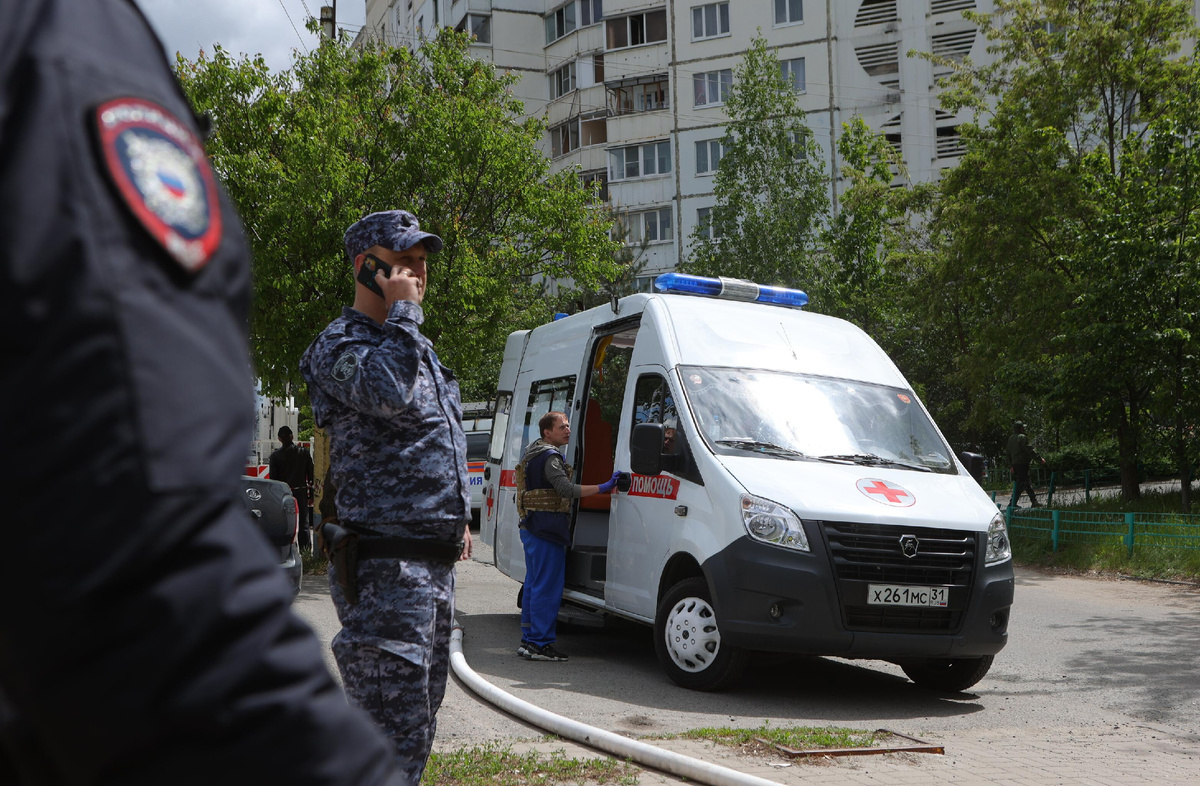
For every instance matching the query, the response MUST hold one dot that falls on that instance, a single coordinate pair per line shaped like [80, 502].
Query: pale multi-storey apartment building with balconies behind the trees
[633, 91]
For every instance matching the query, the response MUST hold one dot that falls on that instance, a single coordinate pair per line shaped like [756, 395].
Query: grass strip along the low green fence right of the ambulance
[1108, 555]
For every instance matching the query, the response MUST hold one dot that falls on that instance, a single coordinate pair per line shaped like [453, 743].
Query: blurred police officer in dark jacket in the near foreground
[146, 637]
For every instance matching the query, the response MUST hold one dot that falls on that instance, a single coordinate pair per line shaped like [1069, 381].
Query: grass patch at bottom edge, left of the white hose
[499, 766]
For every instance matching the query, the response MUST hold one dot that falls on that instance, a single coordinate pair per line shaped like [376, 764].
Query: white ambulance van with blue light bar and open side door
[787, 490]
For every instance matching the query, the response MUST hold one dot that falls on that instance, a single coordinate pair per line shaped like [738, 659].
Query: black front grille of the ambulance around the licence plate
[865, 555]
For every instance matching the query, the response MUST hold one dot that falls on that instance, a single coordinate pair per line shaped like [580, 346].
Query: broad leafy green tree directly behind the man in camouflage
[344, 133]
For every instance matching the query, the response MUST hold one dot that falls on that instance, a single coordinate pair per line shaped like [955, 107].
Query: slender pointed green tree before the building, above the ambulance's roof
[770, 185]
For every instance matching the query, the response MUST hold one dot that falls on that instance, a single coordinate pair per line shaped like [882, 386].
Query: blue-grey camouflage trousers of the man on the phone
[394, 651]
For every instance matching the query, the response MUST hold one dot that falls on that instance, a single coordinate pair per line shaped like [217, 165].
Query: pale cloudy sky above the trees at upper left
[274, 28]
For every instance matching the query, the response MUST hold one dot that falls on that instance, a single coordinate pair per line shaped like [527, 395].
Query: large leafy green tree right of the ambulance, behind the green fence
[1043, 214]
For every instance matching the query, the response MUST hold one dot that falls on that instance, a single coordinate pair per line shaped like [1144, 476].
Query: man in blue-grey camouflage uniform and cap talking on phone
[399, 461]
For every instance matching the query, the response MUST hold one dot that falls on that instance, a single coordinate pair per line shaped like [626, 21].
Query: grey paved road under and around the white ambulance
[1100, 685]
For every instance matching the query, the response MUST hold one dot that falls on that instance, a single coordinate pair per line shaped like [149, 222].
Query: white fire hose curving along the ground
[622, 747]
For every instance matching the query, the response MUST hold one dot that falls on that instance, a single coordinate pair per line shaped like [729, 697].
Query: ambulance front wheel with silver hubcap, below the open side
[688, 643]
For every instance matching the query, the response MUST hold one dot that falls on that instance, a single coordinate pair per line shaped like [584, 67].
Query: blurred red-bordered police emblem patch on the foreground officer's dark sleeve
[160, 170]
